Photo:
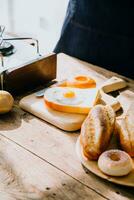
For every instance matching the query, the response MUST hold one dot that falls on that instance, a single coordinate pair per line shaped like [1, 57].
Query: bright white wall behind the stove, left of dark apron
[41, 19]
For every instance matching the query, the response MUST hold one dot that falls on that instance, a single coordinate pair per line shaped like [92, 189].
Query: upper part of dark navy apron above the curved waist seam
[114, 17]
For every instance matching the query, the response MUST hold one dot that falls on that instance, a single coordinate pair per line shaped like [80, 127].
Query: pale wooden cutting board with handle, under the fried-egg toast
[66, 121]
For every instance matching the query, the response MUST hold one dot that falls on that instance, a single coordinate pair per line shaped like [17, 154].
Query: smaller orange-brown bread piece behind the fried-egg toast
[80, 81]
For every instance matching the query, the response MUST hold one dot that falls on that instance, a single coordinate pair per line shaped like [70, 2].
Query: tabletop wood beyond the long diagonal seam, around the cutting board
[58, 147]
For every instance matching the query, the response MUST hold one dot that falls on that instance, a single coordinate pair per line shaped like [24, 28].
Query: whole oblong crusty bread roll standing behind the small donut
[96, 131]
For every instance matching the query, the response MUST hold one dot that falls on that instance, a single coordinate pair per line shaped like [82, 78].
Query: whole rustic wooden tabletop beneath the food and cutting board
[38, 161]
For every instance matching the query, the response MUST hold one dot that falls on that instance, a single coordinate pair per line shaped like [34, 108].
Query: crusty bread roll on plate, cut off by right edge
[125, 131]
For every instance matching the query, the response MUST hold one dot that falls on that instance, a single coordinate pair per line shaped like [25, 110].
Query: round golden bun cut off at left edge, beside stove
[6, 102]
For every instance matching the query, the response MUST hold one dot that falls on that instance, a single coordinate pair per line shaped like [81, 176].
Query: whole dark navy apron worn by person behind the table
[100, 32]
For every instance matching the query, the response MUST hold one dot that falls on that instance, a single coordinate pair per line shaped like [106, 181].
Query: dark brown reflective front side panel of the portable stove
[30, 75]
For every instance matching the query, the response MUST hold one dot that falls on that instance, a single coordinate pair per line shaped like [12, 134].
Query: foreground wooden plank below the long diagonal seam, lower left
[23, 176]
